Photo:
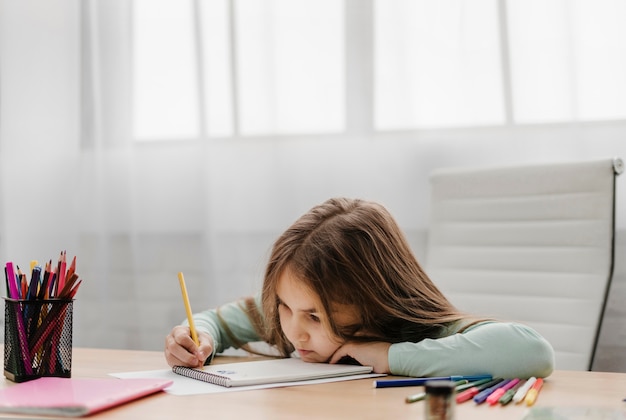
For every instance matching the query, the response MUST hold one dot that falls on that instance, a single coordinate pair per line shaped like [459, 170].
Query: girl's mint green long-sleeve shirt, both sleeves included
[502, 349]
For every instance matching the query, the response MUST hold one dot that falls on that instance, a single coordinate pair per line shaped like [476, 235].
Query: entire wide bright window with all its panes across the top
[224, 68]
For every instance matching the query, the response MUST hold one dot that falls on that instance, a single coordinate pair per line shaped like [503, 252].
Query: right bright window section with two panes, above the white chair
[463, 62]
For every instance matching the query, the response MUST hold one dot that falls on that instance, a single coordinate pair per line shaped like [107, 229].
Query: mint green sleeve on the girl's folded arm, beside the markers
[506, 350]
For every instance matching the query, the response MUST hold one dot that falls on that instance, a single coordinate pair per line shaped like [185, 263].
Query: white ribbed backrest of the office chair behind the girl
[531, 243]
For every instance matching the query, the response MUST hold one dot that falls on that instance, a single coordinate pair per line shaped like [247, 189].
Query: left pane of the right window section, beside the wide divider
[437, 63]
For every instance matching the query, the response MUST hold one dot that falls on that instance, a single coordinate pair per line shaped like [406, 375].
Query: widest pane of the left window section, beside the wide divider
[290, 57]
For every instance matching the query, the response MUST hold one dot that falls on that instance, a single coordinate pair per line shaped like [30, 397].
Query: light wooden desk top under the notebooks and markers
[349, 399]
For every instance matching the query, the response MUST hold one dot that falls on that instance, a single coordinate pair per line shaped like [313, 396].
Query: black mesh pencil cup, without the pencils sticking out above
[37, 338]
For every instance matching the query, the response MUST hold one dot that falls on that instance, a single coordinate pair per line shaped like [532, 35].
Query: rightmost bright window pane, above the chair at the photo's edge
[570, 66]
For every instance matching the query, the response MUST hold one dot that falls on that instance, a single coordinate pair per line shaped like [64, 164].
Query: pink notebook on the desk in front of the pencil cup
[74, 397]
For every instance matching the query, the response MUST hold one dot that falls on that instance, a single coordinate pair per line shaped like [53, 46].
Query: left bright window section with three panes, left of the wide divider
[256, 68]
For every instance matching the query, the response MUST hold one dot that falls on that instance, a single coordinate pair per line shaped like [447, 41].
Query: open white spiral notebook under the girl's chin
[268, 371]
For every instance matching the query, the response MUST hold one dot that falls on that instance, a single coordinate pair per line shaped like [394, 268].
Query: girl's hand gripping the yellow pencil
[180, 350]
